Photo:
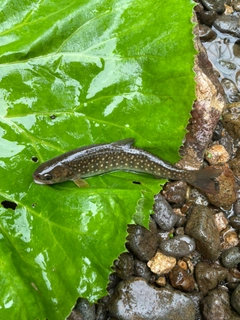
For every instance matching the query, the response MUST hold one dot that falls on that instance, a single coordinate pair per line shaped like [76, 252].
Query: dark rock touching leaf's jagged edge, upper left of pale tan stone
[142, 242]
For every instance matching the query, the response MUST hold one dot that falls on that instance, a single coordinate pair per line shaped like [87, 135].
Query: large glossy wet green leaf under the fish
[75, 73]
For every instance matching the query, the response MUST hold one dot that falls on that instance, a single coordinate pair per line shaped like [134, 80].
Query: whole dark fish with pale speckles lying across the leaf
[121, 155]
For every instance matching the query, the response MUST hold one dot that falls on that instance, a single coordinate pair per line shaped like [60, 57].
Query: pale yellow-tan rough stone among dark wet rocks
[161, 264]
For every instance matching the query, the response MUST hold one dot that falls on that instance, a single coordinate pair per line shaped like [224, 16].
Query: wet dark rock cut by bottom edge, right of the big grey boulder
[216, 306]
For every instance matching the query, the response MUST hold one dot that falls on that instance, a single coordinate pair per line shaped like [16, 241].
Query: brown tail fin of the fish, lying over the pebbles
[204, 179]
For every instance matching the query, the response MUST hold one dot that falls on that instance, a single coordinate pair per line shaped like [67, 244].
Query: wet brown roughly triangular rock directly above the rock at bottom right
[208, 277]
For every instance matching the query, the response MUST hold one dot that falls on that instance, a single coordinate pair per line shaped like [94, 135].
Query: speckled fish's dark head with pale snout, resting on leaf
[52, 174]
